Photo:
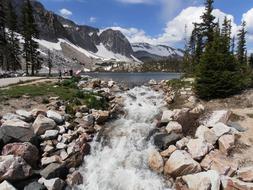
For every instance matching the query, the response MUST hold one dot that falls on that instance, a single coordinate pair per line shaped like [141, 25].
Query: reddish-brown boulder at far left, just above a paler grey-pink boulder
[25, 150]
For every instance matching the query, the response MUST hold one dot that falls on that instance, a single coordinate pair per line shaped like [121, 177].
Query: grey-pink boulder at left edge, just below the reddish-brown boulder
[14, 168]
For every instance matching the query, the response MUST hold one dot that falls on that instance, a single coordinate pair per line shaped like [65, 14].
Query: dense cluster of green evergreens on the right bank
[220, 69]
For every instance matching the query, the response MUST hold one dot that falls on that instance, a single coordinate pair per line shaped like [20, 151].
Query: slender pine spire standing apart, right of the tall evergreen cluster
[241, 46]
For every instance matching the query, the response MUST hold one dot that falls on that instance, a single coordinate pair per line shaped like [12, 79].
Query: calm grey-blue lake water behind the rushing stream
[134, 79]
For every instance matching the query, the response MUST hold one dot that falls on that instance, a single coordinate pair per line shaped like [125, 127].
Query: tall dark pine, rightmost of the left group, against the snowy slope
[30, 32]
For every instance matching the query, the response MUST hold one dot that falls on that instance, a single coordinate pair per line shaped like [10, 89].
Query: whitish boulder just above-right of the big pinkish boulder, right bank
[198, 148]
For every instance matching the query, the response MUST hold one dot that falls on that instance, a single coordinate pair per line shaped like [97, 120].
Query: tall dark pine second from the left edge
[13, 42]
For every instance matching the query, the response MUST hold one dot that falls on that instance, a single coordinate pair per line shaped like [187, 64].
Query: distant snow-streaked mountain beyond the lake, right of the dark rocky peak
[146, 52]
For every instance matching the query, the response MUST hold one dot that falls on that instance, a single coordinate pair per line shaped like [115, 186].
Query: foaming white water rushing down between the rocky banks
[120, 161]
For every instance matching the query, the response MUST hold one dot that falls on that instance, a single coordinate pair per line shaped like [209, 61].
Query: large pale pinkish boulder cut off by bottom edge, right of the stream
[209, 180]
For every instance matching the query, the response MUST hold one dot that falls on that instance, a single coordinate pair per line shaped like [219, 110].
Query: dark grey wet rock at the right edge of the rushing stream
[162, 141]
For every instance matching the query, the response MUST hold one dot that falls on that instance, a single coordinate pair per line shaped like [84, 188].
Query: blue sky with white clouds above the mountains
[141, 19]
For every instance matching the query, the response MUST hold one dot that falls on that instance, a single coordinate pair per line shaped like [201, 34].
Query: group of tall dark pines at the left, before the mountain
[10, 49]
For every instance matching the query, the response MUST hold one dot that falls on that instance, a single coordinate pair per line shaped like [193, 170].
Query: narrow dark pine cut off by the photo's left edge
[3, 41]
